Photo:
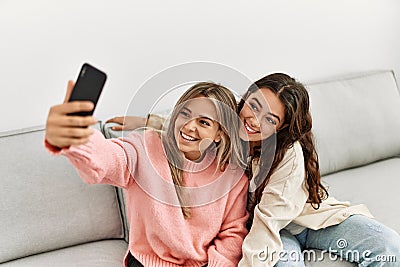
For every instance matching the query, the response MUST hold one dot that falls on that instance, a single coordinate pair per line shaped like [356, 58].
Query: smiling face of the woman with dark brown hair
[262, 115]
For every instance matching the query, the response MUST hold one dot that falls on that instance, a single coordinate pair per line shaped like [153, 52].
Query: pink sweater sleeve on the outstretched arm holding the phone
[102, 160]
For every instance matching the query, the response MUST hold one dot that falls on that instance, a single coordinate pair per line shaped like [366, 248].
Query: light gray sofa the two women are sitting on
[49, 217]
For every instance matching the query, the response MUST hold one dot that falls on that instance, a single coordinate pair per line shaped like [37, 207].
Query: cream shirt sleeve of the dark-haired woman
[283, 200]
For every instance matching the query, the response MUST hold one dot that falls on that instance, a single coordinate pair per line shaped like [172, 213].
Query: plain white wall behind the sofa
[44, 42]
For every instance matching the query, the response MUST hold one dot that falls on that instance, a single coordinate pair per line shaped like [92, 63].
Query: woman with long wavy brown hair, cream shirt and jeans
[290, 206]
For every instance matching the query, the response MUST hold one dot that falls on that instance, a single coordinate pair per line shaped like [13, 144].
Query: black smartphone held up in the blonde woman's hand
[88, 87]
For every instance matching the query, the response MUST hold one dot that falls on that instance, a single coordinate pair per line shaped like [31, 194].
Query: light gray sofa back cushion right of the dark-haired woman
[356, 120]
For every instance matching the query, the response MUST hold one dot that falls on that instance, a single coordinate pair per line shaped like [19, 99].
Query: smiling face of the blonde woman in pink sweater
[196, 127]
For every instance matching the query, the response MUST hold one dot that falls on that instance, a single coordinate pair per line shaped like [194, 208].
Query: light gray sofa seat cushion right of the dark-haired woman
[376, 185]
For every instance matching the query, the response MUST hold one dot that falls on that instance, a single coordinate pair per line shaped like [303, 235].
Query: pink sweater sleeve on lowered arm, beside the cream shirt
[226, 249]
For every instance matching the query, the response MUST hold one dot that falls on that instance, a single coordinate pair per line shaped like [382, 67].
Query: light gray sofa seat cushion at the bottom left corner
[108, 253]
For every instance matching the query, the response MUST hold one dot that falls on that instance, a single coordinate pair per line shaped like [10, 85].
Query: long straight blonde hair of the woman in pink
[228, 149]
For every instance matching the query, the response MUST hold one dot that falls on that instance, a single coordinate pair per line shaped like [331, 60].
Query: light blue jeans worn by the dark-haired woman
[358, 239]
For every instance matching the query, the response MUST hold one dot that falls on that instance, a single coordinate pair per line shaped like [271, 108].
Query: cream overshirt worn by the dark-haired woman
[284, 205]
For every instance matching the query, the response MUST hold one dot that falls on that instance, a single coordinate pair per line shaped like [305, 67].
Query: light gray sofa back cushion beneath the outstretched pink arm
[44, 204]
